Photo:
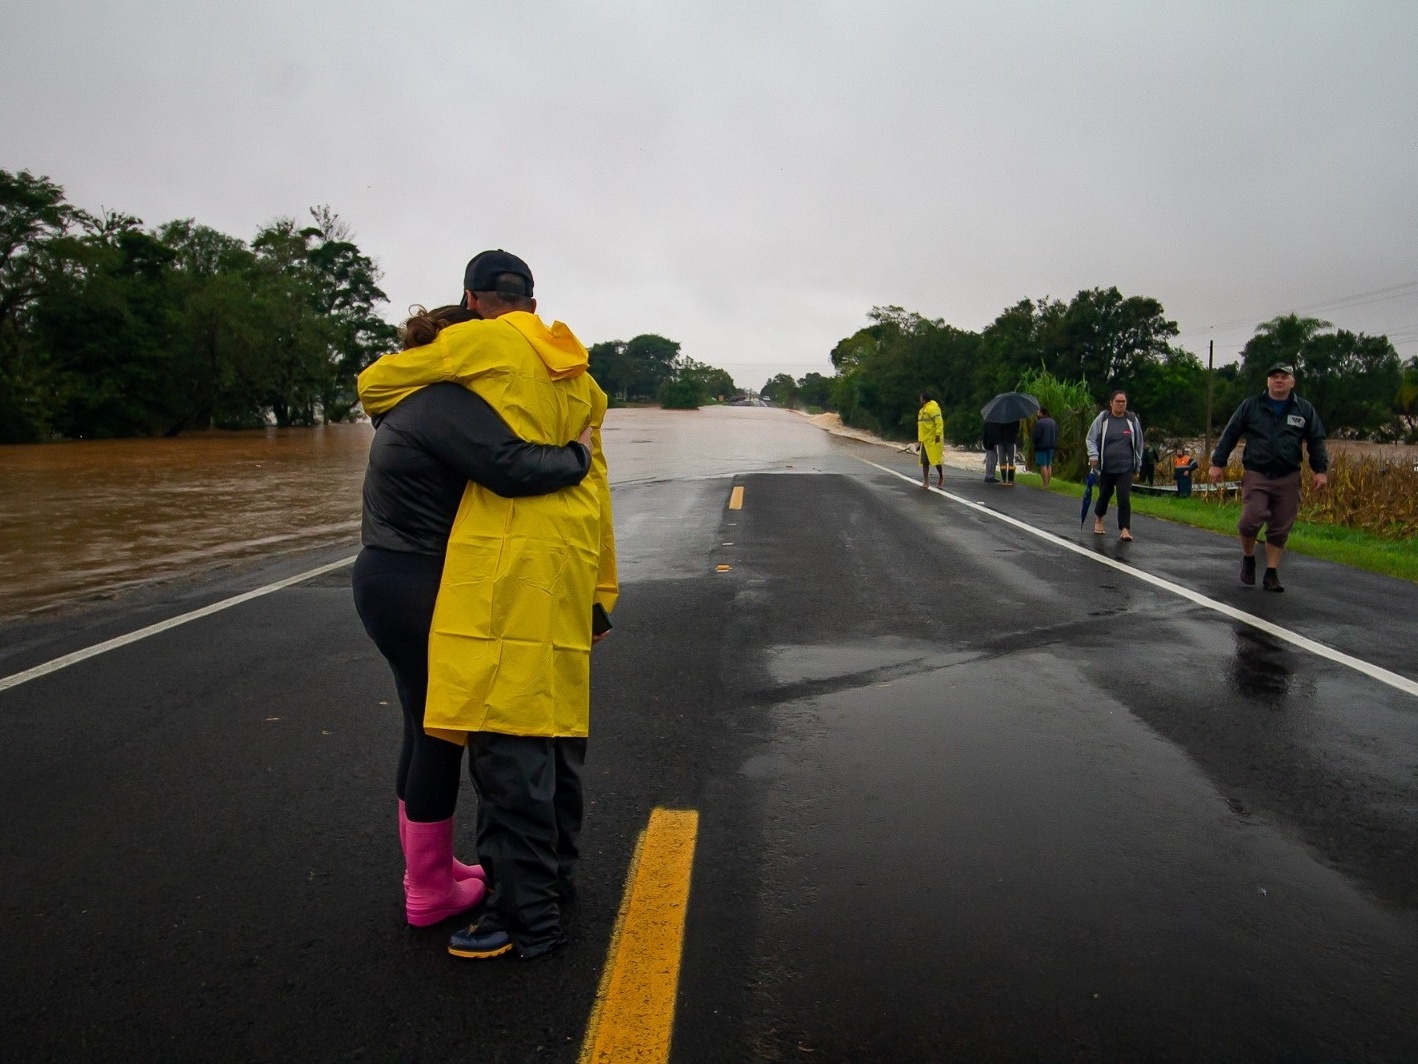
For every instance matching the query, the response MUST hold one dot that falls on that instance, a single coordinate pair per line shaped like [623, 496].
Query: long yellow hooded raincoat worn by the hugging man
[510, 646]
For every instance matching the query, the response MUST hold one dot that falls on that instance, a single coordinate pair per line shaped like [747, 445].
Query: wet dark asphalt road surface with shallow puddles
[964, 797]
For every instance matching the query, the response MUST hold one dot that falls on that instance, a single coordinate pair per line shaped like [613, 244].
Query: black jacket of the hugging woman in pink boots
[430, 446]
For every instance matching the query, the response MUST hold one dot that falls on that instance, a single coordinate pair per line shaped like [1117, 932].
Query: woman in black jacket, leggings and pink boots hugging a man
[423, 456]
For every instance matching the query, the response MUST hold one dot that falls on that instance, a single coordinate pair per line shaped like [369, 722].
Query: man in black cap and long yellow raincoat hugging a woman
[524, 578]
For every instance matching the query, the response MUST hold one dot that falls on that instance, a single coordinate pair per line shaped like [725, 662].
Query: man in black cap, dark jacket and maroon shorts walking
[1275, 426]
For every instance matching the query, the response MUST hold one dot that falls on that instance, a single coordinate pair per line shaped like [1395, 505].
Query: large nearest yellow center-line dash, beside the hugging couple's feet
[635, 1014]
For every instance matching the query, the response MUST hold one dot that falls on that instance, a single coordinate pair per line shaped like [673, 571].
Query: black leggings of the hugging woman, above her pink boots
[395, 595]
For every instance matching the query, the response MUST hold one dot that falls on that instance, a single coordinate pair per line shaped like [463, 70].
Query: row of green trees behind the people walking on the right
[1101, 341]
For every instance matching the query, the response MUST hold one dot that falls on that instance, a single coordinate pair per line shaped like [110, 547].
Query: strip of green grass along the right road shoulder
[1332, 543]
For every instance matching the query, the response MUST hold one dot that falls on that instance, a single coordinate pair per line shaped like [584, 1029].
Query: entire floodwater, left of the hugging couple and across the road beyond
[94, 517]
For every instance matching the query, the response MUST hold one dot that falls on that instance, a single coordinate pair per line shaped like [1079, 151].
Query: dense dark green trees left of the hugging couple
[108, 328]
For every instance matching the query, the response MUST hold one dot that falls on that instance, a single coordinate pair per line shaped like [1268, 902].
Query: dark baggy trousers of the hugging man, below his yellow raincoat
[530, 826]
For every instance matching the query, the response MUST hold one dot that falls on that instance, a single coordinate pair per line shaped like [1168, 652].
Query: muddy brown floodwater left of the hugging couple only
[93, 517]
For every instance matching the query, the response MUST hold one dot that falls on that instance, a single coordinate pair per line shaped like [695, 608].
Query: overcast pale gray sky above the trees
[752, 178]
